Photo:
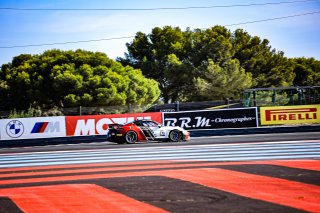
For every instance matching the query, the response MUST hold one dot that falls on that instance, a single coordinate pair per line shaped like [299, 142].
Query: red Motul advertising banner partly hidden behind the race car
[98, 124]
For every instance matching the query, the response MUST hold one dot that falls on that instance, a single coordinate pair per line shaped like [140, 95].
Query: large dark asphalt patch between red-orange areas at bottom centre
[175, 195]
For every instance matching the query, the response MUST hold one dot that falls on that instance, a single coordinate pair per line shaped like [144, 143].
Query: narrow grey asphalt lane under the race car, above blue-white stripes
[251, 138]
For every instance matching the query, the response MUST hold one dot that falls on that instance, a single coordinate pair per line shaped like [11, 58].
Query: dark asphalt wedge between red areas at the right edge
[287, 173]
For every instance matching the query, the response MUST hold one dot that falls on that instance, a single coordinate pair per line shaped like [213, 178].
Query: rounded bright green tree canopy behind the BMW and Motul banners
[72, 78]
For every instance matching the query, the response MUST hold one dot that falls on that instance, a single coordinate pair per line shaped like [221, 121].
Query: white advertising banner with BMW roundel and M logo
[29, 128]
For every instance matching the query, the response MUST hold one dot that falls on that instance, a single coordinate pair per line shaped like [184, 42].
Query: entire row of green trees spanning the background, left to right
[190, 65]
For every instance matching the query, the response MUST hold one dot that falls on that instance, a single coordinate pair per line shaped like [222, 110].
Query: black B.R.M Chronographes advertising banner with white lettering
[213, 119]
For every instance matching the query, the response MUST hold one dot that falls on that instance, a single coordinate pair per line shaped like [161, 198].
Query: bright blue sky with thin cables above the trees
[296, 36]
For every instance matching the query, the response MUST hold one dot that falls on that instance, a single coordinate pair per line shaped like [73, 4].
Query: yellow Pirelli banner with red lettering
[302, 114]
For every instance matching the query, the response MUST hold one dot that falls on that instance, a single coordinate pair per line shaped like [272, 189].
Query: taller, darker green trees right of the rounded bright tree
[214, 63]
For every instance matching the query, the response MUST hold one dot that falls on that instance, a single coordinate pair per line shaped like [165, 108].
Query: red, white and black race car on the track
[146, 130]
